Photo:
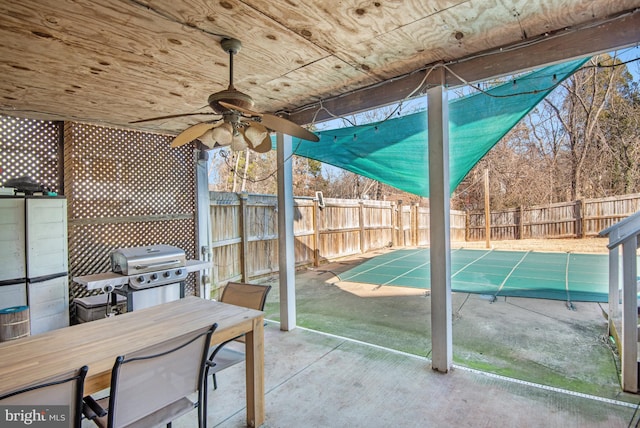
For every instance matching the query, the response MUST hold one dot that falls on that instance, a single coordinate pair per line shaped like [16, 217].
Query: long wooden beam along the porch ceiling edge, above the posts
[604, 36]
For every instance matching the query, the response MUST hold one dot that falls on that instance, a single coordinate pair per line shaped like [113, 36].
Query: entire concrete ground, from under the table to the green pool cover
[360, 358]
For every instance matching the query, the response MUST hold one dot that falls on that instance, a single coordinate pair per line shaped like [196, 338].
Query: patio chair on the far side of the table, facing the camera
[252, 296]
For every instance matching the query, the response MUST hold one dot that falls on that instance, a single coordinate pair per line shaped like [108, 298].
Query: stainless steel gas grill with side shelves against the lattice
[147, 276]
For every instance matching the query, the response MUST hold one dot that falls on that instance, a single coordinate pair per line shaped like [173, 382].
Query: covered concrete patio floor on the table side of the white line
[318, 380]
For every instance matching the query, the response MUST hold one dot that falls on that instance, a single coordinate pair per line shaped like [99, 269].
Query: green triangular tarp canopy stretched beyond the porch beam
[395, 151]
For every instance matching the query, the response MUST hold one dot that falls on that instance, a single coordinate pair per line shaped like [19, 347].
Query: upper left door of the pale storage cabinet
[12, 254]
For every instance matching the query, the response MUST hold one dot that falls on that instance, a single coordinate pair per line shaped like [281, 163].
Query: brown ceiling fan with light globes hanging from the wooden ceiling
[238, 127]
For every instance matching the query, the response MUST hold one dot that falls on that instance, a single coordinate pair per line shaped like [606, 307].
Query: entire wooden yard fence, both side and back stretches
[244, 229]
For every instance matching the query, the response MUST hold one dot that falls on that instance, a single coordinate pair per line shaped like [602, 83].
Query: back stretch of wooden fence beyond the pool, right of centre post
[576, 219]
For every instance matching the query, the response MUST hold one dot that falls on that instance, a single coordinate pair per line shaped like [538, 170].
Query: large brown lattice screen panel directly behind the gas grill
[126, 189]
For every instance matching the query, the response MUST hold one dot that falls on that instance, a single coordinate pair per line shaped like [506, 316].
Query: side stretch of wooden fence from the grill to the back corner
[244, 231]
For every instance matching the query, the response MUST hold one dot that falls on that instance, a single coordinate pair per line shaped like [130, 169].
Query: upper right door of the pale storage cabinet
[46, 235]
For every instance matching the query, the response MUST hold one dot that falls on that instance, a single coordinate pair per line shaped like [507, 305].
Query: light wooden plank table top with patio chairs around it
[97, 343]
